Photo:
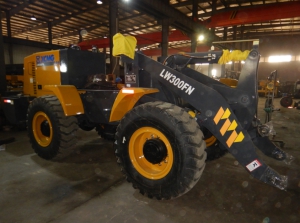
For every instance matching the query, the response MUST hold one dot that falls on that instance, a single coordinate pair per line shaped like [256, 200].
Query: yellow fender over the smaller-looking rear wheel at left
[69, 98]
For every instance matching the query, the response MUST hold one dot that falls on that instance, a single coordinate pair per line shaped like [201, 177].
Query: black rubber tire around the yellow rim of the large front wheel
[187, 145]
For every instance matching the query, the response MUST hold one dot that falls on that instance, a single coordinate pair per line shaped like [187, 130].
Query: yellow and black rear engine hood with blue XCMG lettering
[60, 67]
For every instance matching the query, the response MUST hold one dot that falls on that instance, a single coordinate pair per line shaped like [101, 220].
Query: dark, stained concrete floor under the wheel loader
[88, 186]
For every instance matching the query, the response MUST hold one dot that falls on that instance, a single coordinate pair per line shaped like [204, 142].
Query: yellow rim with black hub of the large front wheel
[138, 144]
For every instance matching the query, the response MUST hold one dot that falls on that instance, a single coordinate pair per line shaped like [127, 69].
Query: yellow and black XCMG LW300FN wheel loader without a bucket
[161, 121]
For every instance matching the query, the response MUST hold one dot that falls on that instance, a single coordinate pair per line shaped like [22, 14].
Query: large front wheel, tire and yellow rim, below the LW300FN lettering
[160, 149]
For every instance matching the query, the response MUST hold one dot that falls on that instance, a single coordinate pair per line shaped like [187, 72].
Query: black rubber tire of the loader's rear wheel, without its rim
[64, 128]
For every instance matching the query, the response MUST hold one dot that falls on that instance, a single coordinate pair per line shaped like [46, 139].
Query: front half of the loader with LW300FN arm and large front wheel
[159, 142]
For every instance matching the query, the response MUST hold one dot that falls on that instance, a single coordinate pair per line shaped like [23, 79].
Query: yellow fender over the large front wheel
[126, 99]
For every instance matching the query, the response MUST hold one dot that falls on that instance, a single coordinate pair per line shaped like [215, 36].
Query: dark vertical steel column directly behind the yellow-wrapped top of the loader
[113, 29]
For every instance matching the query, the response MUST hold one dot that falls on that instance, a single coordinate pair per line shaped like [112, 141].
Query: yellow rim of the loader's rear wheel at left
[42, 129]
